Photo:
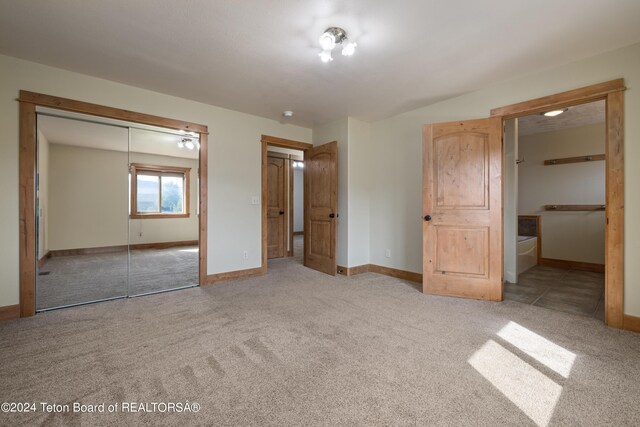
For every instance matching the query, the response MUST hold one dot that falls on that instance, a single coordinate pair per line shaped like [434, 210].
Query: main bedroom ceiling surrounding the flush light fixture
[260, 56]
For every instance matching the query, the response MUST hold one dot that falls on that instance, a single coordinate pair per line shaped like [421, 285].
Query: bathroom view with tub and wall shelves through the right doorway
[554, 204]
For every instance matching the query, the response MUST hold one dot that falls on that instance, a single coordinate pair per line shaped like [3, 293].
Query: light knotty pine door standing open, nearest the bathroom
[462, 208]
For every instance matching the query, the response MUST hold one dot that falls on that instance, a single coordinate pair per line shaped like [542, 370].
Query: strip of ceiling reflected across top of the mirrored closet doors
[74, 129]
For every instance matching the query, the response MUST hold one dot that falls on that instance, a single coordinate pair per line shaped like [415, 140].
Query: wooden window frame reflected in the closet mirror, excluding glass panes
[140, 168]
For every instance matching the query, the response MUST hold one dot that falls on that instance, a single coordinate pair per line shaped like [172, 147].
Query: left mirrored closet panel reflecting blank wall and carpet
[82, 224]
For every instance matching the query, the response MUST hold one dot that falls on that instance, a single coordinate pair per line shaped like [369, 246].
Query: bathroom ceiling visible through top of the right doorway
[580, 115]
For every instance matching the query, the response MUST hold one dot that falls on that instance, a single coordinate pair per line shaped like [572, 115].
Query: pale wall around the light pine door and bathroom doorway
[396, 145]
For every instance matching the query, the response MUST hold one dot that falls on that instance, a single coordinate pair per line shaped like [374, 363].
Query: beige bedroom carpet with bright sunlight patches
[297, 347]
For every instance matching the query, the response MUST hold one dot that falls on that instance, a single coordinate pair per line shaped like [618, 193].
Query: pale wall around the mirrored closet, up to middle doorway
[234, 224]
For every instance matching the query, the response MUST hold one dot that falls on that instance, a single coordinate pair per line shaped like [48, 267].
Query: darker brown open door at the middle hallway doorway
[321, 207]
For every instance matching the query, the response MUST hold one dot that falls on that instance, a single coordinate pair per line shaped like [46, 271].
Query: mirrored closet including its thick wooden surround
[38, 239]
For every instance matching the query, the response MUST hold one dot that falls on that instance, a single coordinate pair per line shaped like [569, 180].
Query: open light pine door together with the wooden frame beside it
[463, 199]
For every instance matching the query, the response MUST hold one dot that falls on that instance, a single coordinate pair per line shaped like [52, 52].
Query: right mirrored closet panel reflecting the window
[164, 220]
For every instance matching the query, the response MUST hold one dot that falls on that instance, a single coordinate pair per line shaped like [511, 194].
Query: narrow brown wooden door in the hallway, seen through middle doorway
[275, 207]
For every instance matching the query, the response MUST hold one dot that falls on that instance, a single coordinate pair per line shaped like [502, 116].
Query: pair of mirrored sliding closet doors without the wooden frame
[116, 209]
